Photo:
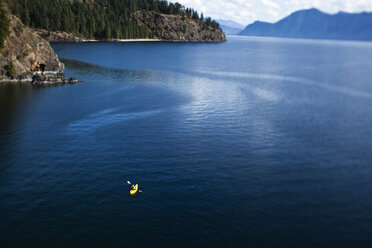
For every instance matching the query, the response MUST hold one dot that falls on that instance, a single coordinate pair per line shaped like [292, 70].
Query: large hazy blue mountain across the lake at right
[313, 23]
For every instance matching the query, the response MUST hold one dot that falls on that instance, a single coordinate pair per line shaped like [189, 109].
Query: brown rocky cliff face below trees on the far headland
[176, 28]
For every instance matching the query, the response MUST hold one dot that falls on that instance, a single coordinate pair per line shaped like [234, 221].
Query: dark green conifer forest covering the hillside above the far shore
[97, 19]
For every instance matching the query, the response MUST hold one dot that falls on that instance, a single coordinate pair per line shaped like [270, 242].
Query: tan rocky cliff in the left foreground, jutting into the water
[28, 57]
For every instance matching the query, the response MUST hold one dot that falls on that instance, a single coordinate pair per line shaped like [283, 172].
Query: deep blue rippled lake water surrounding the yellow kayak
[250, 143]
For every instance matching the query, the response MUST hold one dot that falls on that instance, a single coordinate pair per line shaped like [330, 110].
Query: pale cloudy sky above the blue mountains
[248, 11]
